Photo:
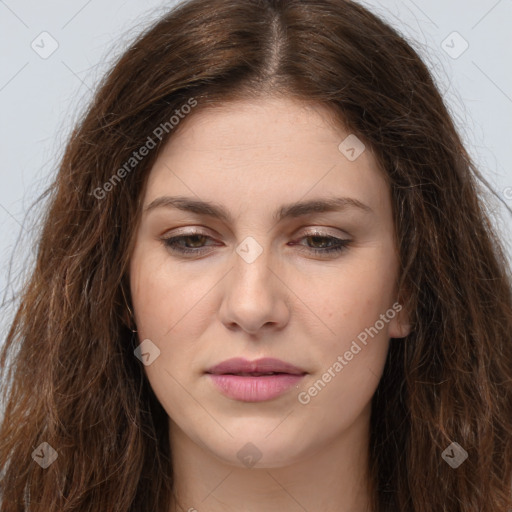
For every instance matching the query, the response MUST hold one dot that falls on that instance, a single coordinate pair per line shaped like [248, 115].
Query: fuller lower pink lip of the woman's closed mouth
[255, 389]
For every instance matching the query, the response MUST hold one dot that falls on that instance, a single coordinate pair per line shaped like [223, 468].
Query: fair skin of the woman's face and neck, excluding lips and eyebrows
[305, 308]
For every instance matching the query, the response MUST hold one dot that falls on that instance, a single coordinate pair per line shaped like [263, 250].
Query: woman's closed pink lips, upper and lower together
[247, 388]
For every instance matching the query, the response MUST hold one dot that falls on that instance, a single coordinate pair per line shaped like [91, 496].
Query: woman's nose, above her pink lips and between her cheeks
[255, 296]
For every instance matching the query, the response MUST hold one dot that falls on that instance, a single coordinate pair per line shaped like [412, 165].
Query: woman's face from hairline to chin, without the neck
[263, 279]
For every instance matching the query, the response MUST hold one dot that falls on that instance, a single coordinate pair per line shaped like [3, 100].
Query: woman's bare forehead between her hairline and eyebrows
[254, 153]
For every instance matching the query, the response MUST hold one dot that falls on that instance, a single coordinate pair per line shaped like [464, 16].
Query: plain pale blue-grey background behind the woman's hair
[41, 98]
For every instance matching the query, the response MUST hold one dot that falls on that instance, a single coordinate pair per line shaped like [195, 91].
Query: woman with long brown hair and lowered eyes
[265, 282]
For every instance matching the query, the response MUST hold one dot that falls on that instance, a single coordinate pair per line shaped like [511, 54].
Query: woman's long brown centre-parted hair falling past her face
[73, 380]
